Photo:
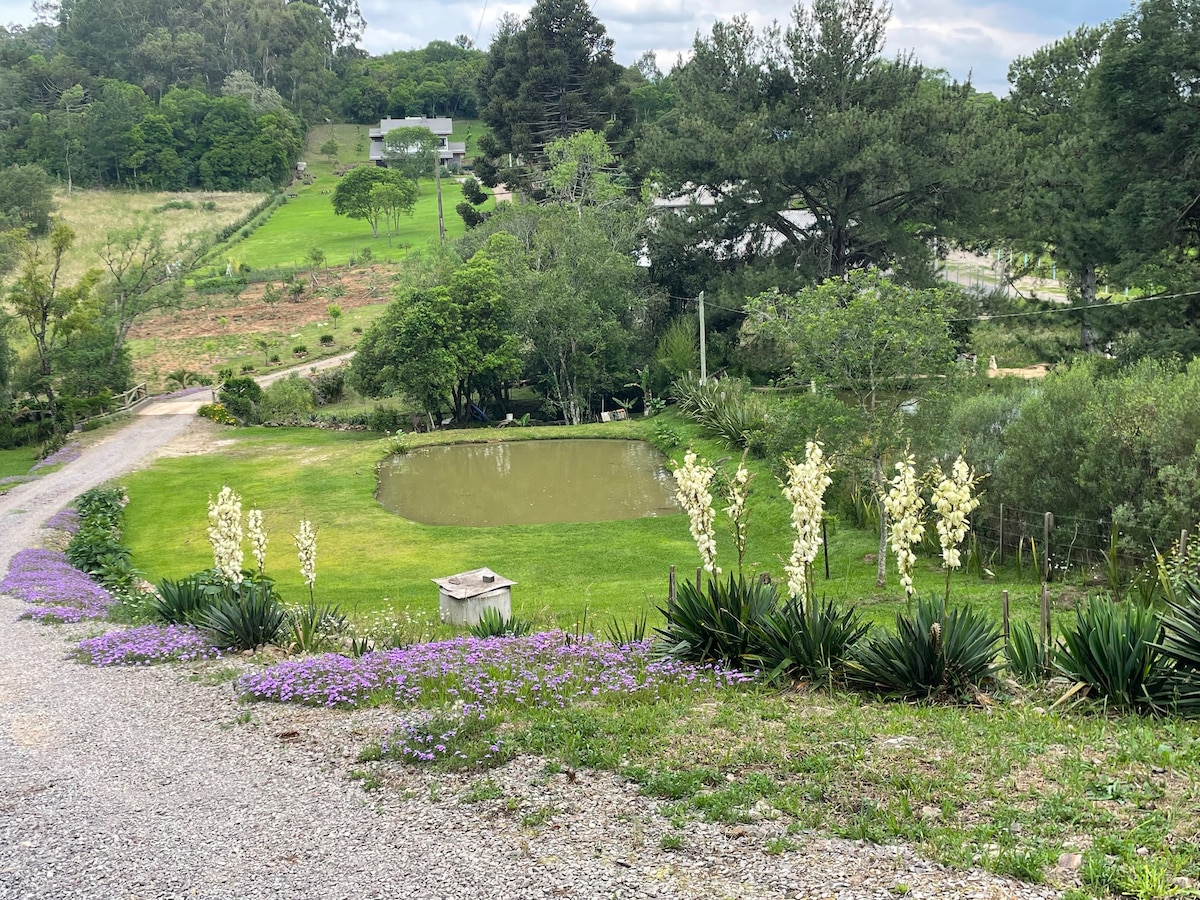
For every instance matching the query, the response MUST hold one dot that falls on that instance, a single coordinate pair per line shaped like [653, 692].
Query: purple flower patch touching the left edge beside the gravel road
[53, 589]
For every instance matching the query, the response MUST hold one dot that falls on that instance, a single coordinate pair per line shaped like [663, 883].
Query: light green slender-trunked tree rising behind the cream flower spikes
[871, 340]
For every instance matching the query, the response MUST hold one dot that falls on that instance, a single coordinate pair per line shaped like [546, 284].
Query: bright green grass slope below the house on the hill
[308, 220]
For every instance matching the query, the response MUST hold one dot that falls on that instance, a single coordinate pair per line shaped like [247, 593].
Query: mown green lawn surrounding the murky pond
[371, 561]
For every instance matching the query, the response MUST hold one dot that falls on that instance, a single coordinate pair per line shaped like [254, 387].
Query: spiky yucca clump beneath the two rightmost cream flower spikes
[933, 652]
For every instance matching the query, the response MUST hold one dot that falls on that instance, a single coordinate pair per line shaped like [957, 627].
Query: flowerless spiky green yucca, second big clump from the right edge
[1114, 650]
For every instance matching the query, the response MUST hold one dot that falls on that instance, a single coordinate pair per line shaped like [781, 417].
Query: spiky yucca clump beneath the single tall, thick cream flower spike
[807, 640]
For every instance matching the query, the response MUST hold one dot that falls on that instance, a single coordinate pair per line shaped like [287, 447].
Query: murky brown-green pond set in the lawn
[529, 483]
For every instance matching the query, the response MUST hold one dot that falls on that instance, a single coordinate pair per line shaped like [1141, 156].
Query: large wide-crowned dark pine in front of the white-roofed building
[805, 147]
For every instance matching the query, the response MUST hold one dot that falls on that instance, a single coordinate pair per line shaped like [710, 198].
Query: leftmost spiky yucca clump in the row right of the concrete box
[718, 625]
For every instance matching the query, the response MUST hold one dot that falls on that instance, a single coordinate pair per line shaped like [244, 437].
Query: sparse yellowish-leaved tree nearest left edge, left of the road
[51, 311]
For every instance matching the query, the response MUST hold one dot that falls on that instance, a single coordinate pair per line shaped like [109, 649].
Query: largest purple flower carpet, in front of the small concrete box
[545, 670]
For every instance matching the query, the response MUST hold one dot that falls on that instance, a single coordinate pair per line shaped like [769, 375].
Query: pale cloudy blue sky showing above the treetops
[976, 40]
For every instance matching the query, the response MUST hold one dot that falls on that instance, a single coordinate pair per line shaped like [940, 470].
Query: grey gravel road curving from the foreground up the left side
[157, 783]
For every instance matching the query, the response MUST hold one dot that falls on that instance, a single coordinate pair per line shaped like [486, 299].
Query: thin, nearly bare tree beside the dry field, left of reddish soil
[146, 274]
